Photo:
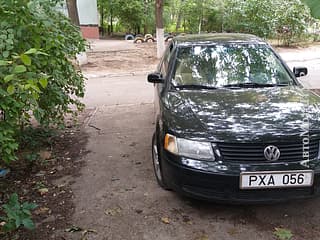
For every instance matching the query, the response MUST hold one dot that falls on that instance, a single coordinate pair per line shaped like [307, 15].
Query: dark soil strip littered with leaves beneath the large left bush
[46, 180]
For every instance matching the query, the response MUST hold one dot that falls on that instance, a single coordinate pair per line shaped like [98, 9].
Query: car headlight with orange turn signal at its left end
[188, 148]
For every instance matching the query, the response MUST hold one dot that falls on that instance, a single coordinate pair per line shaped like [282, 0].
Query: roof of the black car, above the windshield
[217, 38]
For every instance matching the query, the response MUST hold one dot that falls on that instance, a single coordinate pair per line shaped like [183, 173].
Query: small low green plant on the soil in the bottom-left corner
[17, 214]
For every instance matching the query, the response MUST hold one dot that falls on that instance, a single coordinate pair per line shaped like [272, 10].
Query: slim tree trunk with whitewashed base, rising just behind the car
[159, 27]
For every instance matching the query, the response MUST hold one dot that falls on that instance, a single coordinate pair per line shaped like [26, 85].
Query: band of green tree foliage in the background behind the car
[286, 20]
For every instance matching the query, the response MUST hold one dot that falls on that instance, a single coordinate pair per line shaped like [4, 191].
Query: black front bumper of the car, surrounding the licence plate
[220, 182]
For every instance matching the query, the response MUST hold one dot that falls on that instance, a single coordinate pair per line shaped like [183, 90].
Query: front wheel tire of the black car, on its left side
[156, 160]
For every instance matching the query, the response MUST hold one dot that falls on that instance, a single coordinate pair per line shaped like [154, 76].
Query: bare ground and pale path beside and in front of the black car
[100, 179]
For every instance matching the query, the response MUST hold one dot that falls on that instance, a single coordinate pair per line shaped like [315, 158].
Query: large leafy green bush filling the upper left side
[37, 77]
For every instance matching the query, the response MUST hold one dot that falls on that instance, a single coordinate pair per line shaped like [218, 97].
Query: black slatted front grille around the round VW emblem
[248, 152]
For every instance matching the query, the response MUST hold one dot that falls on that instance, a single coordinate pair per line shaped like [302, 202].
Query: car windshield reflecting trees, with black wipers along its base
[231, 65]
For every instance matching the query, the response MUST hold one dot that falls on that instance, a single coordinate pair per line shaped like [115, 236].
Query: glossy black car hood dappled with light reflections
[243, 114]
